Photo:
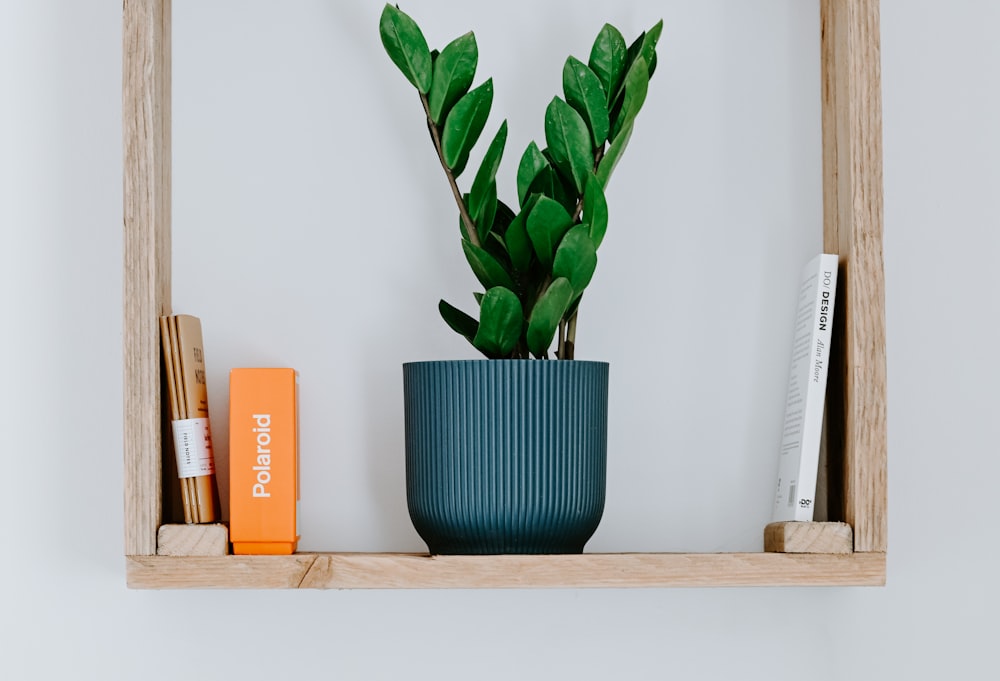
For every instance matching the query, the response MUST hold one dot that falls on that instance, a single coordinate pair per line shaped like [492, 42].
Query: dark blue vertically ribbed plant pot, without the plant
[506, 456]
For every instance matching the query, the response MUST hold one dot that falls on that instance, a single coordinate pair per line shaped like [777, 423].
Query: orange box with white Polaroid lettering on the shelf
[263, 461]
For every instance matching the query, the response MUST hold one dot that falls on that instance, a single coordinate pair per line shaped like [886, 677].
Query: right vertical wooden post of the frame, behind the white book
[852, 179]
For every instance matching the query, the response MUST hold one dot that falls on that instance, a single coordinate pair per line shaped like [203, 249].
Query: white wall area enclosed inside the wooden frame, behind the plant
[307, 193]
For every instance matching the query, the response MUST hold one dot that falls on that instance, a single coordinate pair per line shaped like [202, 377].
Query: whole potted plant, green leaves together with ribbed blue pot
[508, 455]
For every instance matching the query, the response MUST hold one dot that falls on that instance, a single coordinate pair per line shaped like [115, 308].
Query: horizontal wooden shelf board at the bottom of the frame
[420, 571]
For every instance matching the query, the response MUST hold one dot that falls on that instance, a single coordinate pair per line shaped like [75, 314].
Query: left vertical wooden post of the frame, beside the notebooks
[146, 141]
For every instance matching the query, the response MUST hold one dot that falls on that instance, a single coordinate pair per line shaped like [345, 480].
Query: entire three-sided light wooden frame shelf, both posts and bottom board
[856, 428]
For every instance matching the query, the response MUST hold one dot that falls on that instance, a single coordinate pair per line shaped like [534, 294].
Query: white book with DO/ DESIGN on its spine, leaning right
[798, 461]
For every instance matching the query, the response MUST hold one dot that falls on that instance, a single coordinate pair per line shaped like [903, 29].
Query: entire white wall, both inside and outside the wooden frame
[299, 148]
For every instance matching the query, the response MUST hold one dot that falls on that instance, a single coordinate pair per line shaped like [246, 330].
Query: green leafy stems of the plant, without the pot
[536, 262]
